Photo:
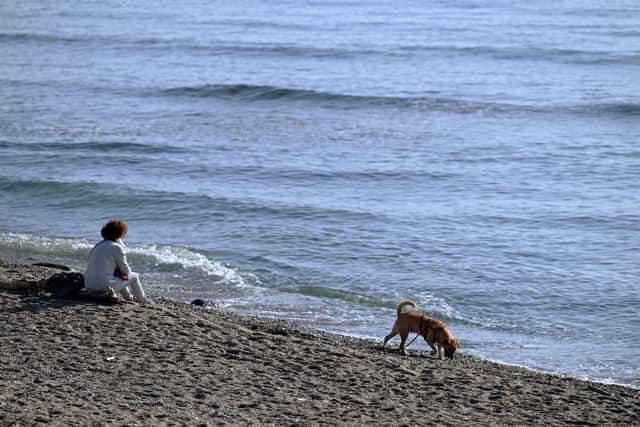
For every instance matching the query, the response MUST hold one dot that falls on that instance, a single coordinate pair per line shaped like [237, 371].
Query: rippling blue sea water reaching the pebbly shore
[321, 161]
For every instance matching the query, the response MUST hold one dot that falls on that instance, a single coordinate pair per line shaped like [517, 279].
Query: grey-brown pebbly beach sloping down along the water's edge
[69, 362]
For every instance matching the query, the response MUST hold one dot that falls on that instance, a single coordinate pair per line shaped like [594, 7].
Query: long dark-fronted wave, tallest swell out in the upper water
[250, 93]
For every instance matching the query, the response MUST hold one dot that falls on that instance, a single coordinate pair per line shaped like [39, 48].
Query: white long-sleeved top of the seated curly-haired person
[103, 260]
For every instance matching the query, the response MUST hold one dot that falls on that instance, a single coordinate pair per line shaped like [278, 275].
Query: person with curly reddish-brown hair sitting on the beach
[108, 268]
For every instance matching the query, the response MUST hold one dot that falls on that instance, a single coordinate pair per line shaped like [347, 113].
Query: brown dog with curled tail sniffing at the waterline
[434, 332]
